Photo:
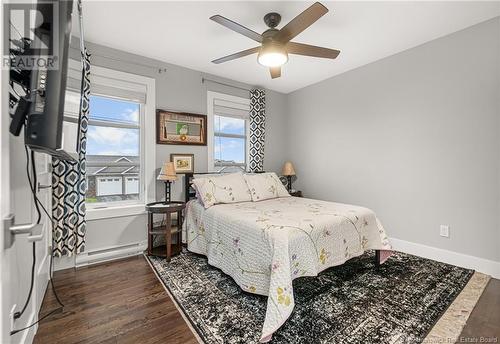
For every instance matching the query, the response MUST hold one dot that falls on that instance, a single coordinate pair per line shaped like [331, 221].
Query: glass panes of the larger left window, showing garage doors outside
[113, 150]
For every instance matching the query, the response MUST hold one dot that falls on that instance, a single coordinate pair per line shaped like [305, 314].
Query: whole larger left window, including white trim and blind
[120, 144]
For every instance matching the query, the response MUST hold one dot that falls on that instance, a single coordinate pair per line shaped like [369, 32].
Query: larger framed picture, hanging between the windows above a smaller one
[179, 128]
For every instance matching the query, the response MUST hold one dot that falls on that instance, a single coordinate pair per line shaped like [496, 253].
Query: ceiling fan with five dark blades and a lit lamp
[275, 44]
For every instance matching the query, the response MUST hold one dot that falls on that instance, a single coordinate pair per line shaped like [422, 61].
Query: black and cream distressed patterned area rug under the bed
[353, 303]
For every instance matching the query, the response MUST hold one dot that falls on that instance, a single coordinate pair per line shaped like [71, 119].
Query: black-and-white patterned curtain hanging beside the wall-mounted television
[69, 186]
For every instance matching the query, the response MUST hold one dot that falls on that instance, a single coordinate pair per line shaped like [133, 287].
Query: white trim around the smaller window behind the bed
[211, 97]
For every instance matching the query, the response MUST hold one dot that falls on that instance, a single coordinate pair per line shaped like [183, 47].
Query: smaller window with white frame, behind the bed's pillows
[228, 132]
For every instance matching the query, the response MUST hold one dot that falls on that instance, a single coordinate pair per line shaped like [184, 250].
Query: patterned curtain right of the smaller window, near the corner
[257, 129]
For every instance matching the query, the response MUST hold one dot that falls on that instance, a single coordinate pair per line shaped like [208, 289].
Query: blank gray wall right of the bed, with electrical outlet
[415, 137]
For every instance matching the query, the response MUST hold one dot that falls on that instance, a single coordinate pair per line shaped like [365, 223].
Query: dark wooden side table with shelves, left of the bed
[165, 228]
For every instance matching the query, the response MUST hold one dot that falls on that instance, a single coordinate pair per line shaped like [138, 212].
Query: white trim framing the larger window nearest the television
[148, 147]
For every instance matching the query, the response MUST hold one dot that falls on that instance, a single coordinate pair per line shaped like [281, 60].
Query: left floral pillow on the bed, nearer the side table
[228, 188]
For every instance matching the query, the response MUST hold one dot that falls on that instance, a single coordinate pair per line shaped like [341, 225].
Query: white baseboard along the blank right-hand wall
[485, 266]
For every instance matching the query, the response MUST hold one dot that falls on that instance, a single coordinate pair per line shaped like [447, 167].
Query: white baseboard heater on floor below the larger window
[110, 253]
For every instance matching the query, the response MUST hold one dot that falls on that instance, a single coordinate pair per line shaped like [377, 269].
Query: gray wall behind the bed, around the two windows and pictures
[177, 89]
